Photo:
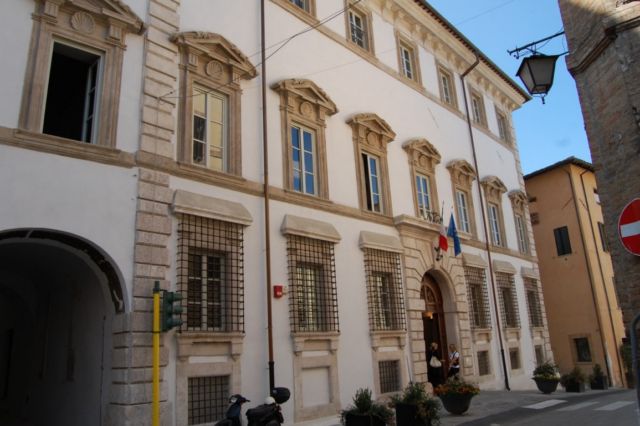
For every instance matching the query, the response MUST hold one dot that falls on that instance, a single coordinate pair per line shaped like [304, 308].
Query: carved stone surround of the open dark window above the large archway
[94, 29]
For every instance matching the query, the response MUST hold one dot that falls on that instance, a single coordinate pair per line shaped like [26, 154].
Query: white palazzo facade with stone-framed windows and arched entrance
[131, 151]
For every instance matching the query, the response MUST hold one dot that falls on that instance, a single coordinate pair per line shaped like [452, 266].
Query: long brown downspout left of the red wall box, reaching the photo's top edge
[267, 220]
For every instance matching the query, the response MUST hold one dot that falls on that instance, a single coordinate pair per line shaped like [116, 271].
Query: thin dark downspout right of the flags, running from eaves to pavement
[484, 221]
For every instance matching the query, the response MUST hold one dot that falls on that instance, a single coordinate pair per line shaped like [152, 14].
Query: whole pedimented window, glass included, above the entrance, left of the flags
[423, 159]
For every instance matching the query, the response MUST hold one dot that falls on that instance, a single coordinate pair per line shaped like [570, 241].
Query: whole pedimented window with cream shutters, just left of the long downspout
[209, 128]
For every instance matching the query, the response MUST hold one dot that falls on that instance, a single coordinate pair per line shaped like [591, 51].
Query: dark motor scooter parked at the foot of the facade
[267, 414]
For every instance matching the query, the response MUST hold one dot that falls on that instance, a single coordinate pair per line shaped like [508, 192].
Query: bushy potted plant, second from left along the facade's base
[414, 407]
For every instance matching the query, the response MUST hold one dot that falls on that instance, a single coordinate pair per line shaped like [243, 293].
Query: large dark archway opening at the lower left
[58, 296]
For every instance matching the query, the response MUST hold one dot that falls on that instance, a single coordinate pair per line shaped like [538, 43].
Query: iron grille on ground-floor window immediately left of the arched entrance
[384, 290]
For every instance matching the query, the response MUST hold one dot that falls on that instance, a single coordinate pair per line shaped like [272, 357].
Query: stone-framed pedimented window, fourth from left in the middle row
[371, 134]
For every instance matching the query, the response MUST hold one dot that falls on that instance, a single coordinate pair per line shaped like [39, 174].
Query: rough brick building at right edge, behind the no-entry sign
[604, 47]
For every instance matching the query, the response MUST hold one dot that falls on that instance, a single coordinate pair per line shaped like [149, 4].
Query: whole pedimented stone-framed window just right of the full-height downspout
[304, 108]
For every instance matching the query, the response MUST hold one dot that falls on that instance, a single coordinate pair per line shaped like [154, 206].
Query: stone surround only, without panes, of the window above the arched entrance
[423, 158]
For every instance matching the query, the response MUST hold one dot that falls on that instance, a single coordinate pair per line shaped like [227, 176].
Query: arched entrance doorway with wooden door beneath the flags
[433, 320]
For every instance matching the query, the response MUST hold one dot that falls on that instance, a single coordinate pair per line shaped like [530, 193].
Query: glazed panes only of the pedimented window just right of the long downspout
[303, 160]
